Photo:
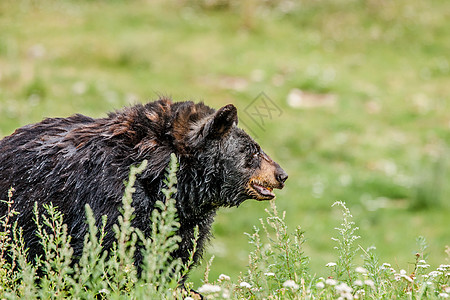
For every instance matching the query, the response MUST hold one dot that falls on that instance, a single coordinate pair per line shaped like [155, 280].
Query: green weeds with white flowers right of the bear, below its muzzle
[278, 269]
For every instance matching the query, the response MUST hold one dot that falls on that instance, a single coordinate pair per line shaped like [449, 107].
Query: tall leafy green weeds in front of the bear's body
[97, 274]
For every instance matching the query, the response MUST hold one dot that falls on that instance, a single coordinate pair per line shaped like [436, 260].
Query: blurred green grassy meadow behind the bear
[362, 89]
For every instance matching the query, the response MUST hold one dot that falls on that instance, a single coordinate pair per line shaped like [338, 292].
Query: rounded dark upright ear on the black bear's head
[221, 122]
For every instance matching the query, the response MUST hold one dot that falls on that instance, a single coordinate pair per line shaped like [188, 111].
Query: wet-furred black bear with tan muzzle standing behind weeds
[80, 160]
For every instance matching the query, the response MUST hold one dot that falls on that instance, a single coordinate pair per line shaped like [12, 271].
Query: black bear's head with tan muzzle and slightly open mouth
[232, 165]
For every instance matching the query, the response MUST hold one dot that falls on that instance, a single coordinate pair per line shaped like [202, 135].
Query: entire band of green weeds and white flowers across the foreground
[277, 266]
